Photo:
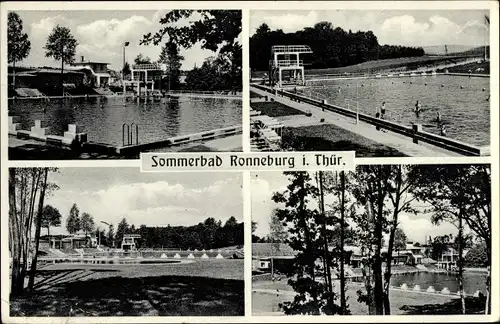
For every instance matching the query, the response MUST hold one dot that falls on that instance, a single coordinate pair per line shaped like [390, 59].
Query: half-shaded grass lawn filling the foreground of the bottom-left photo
[201, 288]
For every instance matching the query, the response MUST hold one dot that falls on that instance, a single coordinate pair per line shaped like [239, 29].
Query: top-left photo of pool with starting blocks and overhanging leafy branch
[101, 84]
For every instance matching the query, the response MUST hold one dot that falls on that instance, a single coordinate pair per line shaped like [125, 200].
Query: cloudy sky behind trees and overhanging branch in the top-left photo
[101, 35]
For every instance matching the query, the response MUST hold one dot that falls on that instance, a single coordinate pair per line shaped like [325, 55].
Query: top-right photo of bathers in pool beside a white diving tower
[379, 82]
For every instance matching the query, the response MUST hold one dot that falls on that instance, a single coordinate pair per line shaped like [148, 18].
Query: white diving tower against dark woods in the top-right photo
[286, 63]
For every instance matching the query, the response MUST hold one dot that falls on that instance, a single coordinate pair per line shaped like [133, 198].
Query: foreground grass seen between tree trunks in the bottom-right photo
[402, 302]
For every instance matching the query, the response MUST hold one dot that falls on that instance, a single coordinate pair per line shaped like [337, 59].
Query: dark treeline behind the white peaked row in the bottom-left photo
[210, 234]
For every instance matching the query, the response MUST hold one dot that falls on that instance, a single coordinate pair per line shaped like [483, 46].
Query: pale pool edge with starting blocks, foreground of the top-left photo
[74, 137]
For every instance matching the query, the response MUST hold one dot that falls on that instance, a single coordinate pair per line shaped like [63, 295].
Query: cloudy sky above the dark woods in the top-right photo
[392, 27]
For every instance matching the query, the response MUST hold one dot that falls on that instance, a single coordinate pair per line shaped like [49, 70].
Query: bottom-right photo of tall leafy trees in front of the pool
[383, 240]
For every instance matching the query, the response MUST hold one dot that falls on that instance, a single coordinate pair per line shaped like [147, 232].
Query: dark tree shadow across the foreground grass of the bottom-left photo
[119, 296]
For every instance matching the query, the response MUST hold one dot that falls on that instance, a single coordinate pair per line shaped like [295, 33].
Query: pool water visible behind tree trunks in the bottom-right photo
[472, 281]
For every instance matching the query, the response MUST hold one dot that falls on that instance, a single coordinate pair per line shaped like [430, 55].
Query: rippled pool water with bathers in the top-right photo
[463, 104]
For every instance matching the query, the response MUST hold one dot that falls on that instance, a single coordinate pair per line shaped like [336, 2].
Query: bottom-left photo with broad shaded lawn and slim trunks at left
[117, 242]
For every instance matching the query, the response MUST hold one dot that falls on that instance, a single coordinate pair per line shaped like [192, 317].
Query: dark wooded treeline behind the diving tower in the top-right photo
[332, 47]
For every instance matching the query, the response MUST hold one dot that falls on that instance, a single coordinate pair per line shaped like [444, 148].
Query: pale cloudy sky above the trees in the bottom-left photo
[152, 199]
